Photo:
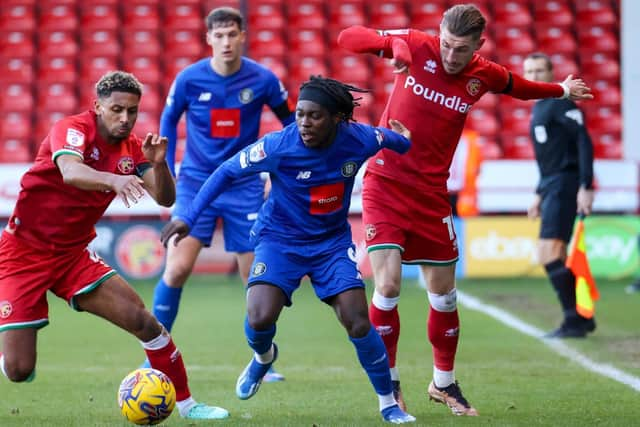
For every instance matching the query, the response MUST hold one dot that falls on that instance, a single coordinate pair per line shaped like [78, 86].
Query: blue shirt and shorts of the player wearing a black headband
[302, 228]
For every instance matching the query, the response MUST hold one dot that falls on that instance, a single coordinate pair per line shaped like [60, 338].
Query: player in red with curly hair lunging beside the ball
[82, 165]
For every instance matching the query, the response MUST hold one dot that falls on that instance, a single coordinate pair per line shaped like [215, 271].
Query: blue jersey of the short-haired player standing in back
[222, 112]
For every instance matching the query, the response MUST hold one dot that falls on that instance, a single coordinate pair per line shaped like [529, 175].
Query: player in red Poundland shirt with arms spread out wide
[406, 211]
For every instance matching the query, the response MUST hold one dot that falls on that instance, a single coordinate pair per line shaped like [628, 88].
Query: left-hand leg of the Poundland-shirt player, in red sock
[383, 311]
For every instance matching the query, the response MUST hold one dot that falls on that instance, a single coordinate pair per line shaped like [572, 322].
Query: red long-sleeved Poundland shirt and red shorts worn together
[405, 201]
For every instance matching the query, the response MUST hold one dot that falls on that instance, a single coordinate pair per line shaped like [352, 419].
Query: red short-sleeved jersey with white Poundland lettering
[434, 106]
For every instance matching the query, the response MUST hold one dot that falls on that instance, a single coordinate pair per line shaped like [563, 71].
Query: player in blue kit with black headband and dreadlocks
[302, 229]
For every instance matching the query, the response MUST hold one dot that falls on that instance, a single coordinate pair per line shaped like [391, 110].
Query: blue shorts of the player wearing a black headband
[332, 269]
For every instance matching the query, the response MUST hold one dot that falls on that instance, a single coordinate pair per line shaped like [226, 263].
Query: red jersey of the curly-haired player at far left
[52, 215]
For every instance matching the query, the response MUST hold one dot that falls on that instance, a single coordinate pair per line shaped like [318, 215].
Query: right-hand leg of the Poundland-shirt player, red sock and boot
[443, 328]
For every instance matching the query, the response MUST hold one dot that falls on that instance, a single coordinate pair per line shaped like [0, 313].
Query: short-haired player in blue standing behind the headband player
[223, 97]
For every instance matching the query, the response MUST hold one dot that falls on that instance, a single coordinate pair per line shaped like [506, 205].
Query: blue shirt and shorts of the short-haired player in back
[222, 117]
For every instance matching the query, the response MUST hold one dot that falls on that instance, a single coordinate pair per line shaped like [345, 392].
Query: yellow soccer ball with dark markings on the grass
[146, 396]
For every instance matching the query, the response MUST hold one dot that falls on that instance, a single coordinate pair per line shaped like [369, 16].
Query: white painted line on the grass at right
[558, 346]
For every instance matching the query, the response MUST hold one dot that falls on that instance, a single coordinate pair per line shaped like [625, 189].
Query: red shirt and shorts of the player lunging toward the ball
[44, 245]
